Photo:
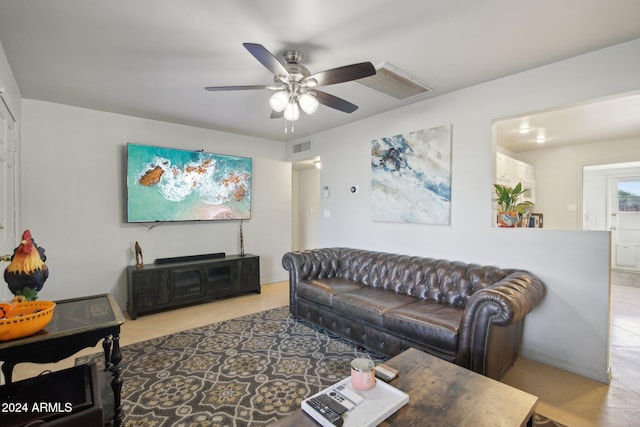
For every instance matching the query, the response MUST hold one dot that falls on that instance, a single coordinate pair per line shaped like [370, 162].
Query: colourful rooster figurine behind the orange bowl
[27, 271]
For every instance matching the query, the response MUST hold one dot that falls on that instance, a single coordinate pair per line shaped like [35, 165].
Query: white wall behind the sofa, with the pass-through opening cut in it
[570, 329]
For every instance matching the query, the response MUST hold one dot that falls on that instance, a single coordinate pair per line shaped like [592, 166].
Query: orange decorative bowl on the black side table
[21, 319]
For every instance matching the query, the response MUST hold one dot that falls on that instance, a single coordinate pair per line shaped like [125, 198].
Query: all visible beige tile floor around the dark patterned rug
[570, 399]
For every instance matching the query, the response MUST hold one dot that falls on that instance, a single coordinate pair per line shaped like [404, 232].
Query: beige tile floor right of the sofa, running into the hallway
[578, 401]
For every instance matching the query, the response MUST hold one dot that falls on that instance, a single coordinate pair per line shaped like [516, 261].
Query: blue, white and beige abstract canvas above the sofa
[411, 177]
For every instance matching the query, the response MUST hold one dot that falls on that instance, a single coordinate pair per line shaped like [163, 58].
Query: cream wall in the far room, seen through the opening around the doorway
[559, 176]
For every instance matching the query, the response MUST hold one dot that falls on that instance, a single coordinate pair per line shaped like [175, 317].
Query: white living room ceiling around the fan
[152, 58]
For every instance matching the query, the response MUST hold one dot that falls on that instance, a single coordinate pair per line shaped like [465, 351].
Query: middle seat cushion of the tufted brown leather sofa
[369, 304]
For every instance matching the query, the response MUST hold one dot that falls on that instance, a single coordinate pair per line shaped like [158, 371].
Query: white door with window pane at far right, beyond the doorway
[624, 221]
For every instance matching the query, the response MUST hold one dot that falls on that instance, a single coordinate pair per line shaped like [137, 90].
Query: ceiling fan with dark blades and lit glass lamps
[295, 87]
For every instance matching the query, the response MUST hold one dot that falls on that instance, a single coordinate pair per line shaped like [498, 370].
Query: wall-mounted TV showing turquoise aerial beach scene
[168, 184]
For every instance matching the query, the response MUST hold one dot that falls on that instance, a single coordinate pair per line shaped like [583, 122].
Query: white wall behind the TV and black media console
[73, 195]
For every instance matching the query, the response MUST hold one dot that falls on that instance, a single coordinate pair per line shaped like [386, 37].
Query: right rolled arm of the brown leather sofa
[504, 303]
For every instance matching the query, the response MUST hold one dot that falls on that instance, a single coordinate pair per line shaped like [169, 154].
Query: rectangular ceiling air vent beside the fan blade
[392, 81]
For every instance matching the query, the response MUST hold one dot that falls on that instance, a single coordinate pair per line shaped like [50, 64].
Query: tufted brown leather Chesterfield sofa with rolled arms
[467, 314]
